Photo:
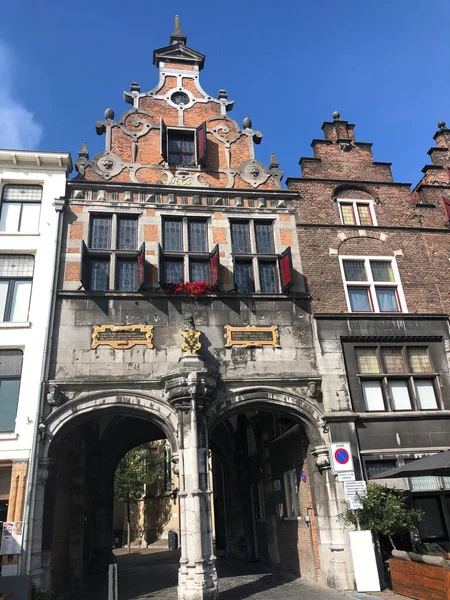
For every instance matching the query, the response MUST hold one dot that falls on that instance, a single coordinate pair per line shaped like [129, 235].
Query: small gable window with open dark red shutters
[184, 147]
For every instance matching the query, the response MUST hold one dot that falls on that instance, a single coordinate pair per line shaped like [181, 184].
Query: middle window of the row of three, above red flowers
[184, 255]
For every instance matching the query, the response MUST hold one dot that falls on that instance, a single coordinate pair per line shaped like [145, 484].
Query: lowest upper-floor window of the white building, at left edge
[10, 371]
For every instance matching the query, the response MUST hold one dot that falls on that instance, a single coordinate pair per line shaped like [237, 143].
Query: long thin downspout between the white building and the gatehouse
[28, 518]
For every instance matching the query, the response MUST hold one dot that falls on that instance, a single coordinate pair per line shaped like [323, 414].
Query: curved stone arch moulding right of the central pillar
[303, 408]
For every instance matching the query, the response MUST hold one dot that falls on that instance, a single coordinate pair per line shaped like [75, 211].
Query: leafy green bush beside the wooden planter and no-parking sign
[383, 511]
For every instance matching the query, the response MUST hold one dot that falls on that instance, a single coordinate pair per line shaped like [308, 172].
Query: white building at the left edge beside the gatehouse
[32, 189]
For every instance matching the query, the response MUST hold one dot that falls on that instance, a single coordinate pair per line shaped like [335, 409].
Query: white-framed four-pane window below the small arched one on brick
[372, 285]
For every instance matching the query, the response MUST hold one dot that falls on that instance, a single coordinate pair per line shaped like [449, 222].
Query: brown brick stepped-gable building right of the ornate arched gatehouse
[376, 262]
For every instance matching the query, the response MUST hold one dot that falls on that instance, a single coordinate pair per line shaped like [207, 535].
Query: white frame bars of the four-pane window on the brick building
[372, 285]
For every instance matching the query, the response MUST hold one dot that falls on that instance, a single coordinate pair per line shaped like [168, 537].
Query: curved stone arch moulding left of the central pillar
[142, 405]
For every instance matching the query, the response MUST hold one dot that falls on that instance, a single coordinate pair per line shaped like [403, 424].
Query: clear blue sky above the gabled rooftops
[288, 64]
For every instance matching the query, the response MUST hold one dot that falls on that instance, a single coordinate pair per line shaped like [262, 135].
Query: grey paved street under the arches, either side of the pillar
[153, 575]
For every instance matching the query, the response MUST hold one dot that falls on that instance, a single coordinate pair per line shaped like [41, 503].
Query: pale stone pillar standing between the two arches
[189, 389]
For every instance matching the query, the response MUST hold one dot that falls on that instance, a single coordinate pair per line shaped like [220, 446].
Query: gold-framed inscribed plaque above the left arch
[122, 337]
